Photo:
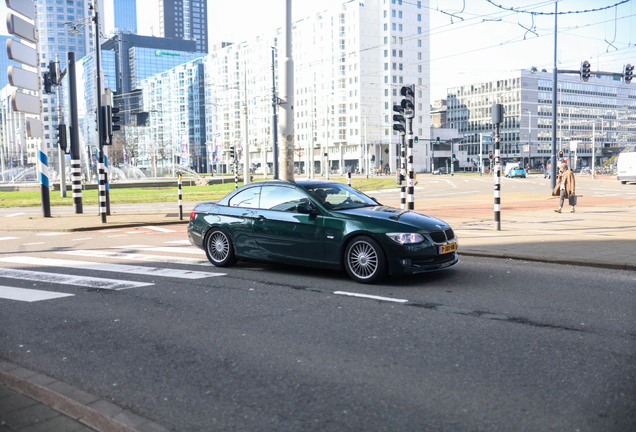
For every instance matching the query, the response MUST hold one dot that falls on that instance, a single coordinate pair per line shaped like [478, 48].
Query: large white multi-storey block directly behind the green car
[350, 63]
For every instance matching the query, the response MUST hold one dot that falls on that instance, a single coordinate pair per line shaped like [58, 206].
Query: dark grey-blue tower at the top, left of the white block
[185, 19]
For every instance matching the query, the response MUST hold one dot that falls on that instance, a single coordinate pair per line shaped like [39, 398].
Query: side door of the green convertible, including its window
[281, 232]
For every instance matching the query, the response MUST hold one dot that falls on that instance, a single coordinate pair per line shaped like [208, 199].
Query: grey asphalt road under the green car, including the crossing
[494, 345]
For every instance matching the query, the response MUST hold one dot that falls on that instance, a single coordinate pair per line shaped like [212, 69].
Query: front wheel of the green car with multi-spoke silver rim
[364, 260]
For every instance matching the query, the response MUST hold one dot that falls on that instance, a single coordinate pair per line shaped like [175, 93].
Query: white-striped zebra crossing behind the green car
[104, 274]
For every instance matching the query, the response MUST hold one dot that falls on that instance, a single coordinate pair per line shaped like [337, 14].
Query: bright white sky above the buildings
[473, 50]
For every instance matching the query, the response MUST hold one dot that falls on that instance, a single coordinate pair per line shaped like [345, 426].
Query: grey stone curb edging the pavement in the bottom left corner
[112, 419]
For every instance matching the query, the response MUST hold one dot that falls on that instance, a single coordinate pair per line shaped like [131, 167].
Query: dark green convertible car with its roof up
[320, 224]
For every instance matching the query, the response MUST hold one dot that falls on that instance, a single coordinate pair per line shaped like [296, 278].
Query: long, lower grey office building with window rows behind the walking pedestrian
[598, 113]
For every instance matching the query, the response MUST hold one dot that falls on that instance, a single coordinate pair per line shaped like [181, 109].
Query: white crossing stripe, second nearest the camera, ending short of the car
[64, 279]
